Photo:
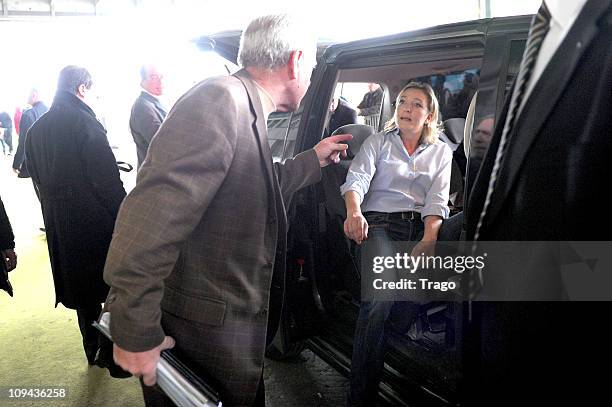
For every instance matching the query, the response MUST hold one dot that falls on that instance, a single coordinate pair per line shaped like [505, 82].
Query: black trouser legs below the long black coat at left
[93, 340]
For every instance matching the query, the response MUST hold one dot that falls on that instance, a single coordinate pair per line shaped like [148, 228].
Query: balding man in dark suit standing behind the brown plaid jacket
[147, 111]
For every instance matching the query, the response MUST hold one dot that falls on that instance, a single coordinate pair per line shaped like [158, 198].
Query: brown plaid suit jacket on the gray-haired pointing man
[197, 241]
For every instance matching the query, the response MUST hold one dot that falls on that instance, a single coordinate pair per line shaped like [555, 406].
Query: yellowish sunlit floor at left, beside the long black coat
[40, 346]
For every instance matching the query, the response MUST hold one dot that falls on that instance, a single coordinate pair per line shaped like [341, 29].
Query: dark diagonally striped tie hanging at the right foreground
[539, 28]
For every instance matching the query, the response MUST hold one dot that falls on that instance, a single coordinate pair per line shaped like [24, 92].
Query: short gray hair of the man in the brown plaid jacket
[269, 40]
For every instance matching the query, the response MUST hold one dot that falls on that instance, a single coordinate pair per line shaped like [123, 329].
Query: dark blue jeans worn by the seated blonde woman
[373, 321]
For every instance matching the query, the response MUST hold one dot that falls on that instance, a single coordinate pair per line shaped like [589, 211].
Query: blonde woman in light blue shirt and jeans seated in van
[397, 189]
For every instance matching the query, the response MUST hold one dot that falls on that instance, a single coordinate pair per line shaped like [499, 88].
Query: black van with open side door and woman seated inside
[425, 360]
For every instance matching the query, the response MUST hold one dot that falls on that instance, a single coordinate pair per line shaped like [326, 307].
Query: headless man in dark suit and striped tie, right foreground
[548, 188]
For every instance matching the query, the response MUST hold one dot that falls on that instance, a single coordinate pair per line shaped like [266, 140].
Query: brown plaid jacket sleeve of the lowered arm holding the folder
[187, 163]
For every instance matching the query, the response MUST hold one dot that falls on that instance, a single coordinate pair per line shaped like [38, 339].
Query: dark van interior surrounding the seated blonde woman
[426, 348]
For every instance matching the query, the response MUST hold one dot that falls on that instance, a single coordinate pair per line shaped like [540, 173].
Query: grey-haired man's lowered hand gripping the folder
[142, 363]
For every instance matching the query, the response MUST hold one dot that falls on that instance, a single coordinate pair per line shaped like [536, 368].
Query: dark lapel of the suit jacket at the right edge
[543, 98]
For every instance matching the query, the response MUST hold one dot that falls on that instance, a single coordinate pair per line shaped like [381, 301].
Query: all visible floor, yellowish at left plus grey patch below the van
[40, 346]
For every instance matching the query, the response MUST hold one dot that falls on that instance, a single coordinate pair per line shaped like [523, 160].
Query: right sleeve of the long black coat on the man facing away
[101, 168]
